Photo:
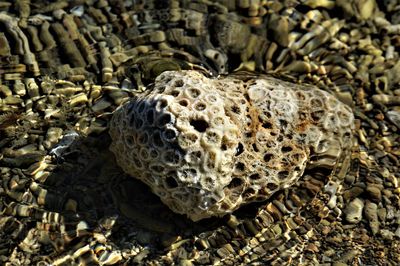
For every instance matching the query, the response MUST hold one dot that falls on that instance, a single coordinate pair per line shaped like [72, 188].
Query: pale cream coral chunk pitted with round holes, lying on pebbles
[207, 146]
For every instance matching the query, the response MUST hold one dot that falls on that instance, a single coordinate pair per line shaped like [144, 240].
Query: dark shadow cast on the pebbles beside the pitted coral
[93, 194]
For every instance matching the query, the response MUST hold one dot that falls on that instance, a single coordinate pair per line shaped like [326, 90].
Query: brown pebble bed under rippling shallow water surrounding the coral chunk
[65, 66]
